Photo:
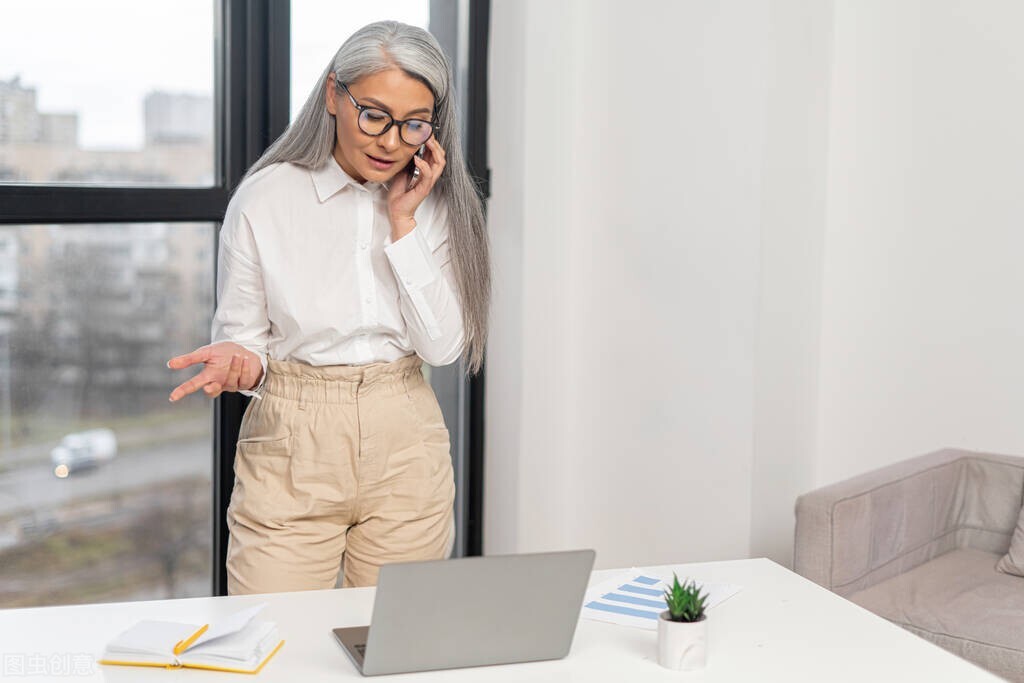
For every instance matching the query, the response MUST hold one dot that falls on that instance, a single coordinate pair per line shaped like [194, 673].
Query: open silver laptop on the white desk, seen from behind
[472, 612]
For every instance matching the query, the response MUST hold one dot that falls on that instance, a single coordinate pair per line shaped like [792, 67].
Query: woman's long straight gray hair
[310, 141]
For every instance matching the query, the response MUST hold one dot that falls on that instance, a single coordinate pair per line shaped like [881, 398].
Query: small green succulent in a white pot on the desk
[682, 629]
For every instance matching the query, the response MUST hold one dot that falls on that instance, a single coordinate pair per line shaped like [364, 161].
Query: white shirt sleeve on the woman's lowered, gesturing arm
[241, 315]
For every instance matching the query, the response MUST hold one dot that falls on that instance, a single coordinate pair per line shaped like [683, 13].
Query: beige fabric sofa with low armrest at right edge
[918, 543]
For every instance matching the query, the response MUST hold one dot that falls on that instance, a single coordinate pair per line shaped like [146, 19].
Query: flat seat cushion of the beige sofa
[961, 603]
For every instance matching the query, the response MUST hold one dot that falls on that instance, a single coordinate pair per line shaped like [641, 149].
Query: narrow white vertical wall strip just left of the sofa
[793, 212]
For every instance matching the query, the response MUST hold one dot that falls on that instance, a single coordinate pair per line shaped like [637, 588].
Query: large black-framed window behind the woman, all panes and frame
[120, 146]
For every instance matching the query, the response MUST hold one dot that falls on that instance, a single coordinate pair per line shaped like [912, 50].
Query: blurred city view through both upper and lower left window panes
[105, 486]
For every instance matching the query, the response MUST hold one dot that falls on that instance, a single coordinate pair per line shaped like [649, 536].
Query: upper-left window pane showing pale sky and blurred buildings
[74, 110]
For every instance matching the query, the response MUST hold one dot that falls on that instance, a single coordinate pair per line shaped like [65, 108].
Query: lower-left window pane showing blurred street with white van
[105, 486]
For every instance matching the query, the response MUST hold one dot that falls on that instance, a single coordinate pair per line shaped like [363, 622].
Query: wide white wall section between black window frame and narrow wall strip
[620, 377]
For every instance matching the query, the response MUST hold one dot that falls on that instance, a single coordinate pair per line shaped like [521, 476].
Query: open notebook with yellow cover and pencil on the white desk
[238, 644]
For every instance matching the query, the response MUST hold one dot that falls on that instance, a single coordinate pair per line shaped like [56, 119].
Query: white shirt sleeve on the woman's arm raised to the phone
[429, 298]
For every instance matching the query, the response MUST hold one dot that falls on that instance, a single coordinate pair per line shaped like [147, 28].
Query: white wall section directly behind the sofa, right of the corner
[923, 335]
